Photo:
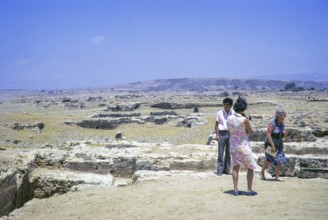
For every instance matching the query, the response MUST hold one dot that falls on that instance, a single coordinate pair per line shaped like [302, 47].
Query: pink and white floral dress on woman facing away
[240, 147]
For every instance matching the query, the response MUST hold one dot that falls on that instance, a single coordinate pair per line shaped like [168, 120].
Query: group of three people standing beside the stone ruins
[233, 129]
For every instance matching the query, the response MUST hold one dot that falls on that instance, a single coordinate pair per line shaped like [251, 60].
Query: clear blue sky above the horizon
[73, 43]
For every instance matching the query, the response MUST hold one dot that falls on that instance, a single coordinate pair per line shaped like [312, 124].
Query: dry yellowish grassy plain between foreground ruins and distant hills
[56, 132]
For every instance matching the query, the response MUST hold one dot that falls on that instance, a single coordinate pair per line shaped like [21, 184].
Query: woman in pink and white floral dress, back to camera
[240, 148]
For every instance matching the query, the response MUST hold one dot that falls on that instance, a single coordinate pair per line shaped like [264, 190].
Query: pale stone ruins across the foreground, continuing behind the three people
[45, 172]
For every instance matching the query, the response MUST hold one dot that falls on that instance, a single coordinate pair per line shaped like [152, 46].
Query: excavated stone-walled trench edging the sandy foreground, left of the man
[42, 177]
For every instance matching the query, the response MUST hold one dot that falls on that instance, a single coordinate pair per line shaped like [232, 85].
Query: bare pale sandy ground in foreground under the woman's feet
[186, 197]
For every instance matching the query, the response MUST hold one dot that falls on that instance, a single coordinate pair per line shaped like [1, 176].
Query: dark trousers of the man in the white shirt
[223, 165]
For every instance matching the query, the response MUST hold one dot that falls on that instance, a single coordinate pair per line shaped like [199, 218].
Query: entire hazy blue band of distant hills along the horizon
[316, 80]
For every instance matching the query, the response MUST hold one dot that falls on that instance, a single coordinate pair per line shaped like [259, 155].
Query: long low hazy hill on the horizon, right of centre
[212, 84]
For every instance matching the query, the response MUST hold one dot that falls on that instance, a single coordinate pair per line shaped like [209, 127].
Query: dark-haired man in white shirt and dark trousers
[222, 136]
